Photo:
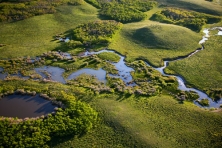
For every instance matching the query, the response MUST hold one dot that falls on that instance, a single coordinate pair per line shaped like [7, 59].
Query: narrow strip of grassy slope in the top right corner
[196, 5]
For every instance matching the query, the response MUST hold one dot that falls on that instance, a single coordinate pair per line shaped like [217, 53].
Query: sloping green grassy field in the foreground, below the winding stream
[149, 122]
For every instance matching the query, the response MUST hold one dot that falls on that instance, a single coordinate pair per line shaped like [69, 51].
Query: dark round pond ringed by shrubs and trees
[23, 106]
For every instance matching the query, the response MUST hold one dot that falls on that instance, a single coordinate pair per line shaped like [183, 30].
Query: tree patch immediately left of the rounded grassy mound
[96, 33]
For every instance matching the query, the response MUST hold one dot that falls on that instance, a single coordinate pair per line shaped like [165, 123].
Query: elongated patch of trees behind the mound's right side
[189, 19]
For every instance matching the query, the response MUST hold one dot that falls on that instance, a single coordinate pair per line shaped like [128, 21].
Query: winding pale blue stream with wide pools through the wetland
[124, 71]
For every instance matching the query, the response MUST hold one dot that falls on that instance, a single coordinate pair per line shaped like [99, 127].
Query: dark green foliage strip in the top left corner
[19, 10]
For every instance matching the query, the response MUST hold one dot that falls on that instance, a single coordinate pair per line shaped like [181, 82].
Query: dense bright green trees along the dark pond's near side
[76, 119]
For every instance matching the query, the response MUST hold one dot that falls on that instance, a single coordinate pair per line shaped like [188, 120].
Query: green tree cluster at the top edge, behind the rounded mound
[124, 11]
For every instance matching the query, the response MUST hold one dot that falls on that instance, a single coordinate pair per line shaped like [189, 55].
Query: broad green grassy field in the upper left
[34, 36]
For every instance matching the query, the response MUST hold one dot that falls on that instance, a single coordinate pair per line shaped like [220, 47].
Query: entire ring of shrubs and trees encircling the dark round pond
[76, 119]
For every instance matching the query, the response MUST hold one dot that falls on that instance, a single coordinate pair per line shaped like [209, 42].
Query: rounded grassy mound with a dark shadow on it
[155, 41]
